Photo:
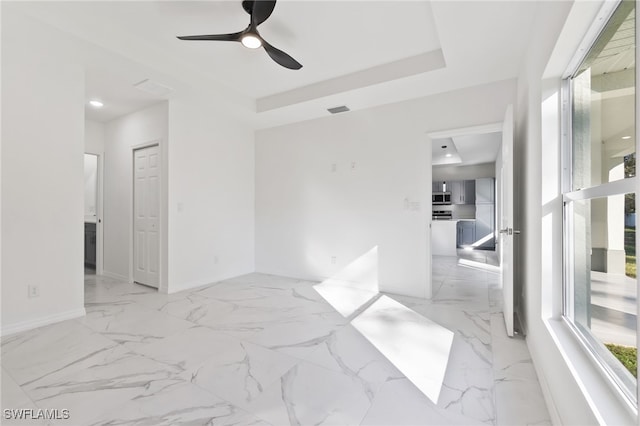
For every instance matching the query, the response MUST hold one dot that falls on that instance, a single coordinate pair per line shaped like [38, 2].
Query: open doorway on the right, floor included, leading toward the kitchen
[466, 202]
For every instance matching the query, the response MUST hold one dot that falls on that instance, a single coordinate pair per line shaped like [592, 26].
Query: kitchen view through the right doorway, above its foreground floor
[465, 193]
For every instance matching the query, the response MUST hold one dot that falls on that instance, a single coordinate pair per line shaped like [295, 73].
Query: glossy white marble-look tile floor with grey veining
[267, 350]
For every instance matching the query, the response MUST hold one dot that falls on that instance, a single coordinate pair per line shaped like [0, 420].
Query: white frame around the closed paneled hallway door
[161, 259]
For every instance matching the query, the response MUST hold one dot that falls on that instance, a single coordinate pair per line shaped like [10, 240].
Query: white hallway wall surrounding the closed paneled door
[121, 136]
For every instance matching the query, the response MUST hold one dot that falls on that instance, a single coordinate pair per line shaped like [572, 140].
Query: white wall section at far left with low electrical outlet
[42, 179]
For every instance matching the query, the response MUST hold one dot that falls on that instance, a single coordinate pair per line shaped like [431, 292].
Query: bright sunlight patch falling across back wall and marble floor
[417, 346]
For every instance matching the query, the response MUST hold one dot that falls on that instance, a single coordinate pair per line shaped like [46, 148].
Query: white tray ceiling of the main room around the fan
[358, 53]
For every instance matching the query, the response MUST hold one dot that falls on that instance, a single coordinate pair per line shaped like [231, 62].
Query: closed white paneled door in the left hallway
[146, 216]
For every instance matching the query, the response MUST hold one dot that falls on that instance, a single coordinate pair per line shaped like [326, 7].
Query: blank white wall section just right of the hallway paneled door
[211, 193]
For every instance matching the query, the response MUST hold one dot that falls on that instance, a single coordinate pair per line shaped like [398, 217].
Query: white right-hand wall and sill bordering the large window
[575, 391]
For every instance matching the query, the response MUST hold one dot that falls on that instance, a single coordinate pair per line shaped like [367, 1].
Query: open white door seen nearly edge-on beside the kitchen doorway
[506, 220]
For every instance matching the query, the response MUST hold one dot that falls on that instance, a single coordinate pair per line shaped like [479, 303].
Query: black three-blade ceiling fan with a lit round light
[259, 10]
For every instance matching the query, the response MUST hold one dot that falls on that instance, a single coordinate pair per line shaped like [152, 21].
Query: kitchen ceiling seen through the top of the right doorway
[466, 150]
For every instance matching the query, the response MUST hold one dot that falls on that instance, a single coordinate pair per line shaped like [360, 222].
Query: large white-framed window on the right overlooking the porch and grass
[599, 196]
